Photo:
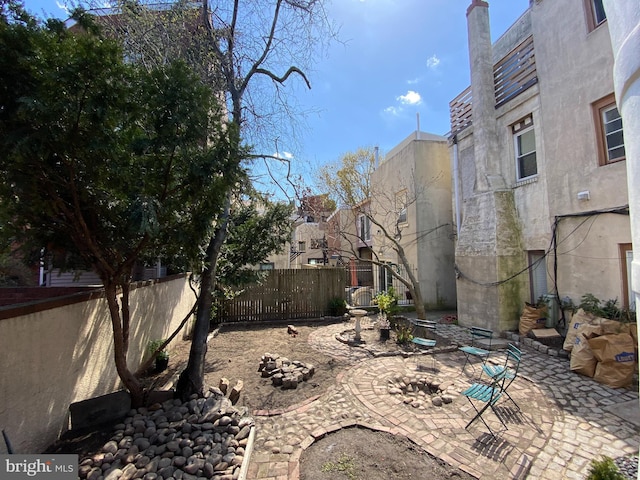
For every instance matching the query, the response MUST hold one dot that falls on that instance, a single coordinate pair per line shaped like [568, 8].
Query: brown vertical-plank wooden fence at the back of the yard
[286, 294]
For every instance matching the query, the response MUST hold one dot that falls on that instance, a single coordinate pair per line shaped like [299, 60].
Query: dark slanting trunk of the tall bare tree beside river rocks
[191, 379]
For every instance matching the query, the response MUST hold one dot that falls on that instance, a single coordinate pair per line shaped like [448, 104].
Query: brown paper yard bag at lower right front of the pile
[616, 359]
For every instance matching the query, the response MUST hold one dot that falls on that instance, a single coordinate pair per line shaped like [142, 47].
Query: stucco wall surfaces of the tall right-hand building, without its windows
[574, 70]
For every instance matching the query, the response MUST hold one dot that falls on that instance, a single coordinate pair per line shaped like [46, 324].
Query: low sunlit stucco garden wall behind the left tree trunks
[52, 357]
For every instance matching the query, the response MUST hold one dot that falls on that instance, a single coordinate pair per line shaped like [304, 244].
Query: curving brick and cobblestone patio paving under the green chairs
[561, 427]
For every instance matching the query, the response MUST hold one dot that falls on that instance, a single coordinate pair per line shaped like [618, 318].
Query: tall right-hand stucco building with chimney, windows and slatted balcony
[540, 182]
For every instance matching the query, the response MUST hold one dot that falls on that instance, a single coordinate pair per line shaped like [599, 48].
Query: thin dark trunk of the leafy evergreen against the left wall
[120, 340]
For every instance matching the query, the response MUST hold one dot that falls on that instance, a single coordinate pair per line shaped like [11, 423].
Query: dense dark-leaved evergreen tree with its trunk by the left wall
[104, 159]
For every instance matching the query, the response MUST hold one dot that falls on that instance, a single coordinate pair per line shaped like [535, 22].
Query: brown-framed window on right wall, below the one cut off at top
[608, 131]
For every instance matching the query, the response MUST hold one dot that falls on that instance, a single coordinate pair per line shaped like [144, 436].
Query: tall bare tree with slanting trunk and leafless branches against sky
[255, 52]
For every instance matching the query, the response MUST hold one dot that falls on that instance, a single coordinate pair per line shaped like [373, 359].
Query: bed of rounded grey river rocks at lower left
[202, 438]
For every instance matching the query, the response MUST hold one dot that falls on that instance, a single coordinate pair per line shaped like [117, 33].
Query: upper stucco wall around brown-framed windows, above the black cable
[576, 69]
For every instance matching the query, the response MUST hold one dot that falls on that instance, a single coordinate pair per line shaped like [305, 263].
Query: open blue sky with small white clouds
[400, 58]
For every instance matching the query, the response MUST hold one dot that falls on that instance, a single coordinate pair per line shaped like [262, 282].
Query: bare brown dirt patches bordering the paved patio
[352, 454]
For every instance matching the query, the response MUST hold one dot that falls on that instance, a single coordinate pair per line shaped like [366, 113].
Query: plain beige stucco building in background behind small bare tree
[412, 189]
